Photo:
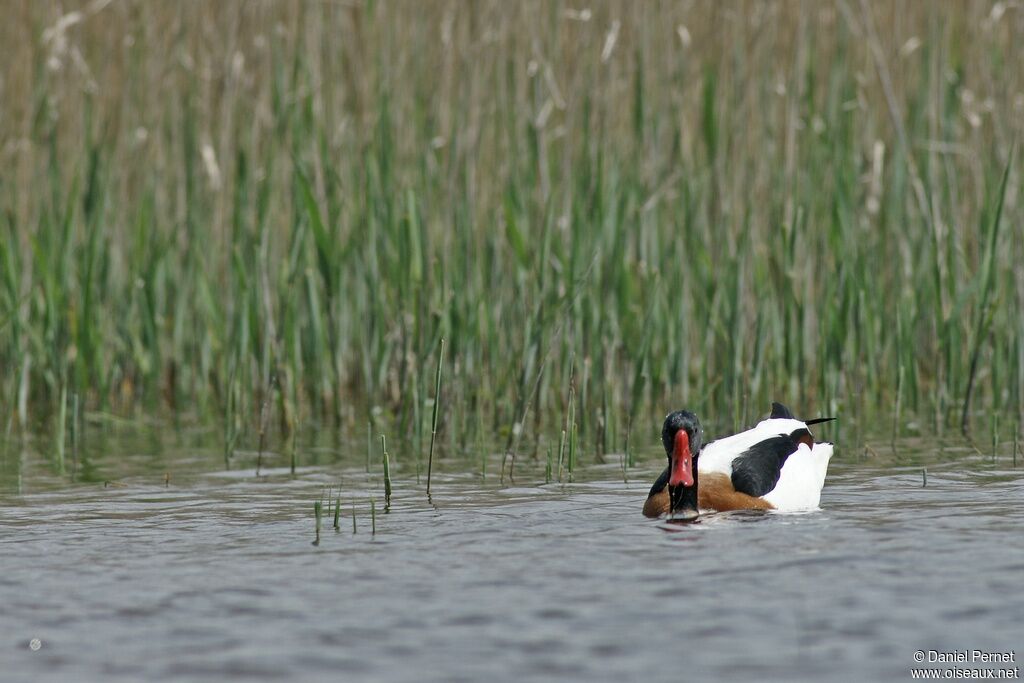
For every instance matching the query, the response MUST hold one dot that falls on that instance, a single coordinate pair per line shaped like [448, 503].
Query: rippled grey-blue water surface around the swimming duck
[215, 577]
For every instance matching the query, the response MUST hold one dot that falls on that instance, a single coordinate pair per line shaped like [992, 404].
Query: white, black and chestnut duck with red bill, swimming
[777, 465]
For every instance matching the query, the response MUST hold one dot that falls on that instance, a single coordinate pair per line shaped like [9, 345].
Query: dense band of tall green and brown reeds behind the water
[212, 208]
